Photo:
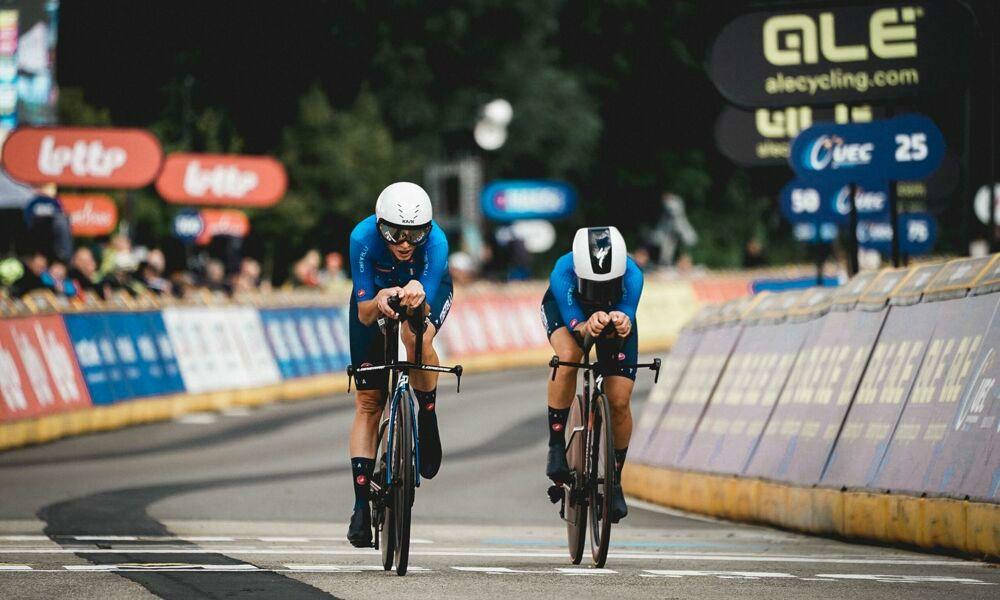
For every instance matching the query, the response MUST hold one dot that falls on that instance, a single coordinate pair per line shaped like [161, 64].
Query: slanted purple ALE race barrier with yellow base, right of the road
[866, 411]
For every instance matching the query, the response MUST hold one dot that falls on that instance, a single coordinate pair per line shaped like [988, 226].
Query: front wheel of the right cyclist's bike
[602, 480]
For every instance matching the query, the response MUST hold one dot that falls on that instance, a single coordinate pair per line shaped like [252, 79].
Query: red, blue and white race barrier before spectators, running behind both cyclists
[75, 367]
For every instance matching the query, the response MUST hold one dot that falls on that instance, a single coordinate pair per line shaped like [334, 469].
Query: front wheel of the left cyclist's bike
[403, 484]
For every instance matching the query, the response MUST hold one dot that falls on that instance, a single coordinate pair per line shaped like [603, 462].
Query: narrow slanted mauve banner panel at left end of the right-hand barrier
[680, 418]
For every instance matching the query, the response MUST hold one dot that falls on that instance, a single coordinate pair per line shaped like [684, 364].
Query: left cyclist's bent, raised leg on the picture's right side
[425, 383]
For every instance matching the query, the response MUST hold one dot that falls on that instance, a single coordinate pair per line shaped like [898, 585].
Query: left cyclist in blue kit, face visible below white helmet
[399, 252]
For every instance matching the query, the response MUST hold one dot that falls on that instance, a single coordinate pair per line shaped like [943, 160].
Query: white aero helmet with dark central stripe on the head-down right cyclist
[599, 262]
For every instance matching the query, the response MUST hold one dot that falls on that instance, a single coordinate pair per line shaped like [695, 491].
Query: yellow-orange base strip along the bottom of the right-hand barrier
[957, 526]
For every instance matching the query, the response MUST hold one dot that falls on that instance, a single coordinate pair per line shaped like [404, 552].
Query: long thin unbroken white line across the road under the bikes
[458, 552]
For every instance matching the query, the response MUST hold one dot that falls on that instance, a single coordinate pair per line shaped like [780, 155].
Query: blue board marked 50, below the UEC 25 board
[803, 202]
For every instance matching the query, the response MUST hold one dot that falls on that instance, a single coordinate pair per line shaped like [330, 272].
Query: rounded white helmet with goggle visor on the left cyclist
[403, 213]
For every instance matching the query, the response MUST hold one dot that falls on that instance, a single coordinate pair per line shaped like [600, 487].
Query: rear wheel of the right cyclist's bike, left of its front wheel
[574, 502]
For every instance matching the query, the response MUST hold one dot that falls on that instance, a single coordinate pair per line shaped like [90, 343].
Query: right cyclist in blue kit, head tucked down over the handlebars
[592, 288]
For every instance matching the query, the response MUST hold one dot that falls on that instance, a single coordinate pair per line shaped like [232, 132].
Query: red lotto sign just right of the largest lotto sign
[222, 179]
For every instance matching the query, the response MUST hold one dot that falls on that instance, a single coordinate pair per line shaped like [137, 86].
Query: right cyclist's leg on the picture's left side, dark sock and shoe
[561, 389]
